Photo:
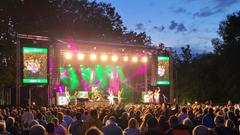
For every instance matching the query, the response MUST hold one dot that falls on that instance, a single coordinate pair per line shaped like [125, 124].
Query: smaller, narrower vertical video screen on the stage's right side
[163, 70]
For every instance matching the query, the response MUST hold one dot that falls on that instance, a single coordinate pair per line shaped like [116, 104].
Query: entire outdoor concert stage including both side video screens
[69, 67]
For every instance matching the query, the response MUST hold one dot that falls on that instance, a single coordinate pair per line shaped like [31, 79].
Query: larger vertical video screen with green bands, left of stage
[35, 69]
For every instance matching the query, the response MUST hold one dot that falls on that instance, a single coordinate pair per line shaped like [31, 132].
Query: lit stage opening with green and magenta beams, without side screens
[104, 69]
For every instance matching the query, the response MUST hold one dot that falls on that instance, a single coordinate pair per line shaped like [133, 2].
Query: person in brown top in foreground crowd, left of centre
[92, 120]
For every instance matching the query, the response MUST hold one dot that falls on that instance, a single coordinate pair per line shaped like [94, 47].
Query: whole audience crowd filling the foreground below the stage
[118, 120]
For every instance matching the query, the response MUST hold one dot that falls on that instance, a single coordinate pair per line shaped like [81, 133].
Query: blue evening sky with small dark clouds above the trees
[176, 22]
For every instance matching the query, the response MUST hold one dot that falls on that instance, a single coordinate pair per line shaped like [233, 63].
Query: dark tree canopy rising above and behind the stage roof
[86, 20]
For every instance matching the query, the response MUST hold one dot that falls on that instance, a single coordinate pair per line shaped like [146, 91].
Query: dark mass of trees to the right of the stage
[213, 76]
